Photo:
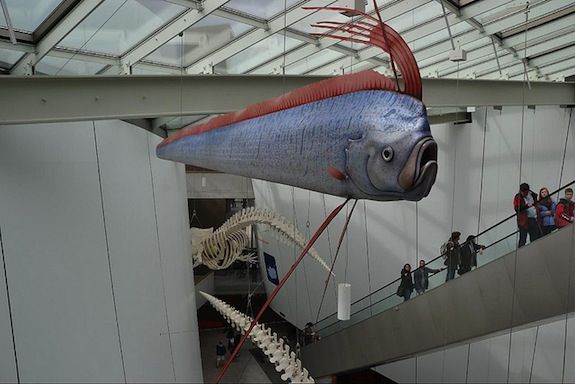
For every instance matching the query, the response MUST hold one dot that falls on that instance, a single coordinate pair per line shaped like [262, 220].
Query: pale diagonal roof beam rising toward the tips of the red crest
[278, 24]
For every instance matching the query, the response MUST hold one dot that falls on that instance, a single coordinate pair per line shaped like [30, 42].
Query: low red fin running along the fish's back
[335, 86]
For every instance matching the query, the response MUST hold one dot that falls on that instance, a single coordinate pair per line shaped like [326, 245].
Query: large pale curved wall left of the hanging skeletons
[94, 232]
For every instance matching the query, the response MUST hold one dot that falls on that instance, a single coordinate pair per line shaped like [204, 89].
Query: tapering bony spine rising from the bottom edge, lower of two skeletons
[274, 348]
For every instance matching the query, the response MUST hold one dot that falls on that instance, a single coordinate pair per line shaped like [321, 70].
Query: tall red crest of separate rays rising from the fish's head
[374, 32]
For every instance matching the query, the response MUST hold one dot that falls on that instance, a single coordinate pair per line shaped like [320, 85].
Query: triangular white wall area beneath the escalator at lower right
[539, 354]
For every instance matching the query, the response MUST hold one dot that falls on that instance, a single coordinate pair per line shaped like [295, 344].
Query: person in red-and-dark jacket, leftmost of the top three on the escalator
[524, 205]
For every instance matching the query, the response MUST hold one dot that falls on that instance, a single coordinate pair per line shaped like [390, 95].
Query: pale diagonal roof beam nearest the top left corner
[54, 36]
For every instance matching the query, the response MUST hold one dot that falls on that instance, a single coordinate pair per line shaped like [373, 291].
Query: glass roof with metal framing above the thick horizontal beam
[248, 36]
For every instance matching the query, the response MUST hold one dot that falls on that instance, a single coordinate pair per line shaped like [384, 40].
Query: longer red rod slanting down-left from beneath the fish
[274, 293]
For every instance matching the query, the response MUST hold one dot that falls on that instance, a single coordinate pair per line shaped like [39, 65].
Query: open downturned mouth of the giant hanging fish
[420, 170]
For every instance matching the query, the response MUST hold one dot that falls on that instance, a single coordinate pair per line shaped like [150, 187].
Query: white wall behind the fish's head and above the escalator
[472, 192]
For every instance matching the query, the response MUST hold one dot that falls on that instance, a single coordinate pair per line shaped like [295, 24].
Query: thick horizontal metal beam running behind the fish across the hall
[26, 99]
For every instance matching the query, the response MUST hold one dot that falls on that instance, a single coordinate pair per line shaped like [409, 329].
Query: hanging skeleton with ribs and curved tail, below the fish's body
[218, 250]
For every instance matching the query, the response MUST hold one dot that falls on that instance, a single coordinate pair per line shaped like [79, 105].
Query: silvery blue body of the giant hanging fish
[297, 146]
